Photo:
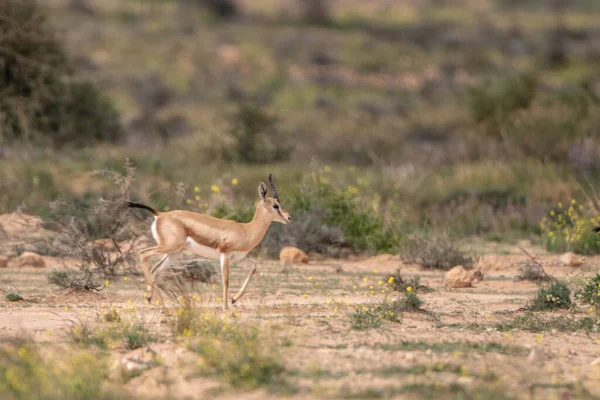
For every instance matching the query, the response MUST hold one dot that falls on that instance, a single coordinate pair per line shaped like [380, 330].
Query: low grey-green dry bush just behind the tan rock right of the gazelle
[436, 250]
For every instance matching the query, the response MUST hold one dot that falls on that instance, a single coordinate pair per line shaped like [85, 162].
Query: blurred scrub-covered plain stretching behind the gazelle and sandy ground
[379, 119]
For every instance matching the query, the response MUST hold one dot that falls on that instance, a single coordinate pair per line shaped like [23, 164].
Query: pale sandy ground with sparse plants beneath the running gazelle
[307, 306]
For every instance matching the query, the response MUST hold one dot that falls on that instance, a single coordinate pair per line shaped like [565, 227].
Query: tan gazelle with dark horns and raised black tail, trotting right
[210, 237]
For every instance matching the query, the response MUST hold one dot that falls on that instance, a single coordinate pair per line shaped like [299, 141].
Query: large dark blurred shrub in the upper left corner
[41, 100]
